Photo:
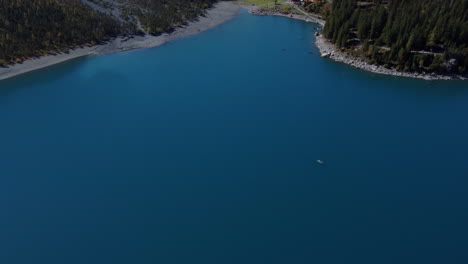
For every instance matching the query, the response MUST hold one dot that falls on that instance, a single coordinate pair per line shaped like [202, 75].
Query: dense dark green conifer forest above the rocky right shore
[408, 35]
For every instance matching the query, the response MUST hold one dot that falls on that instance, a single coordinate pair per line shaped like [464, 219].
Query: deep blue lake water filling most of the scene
[203, 151]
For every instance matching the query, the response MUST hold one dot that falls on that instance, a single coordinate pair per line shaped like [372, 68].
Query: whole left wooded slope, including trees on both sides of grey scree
[30, 28]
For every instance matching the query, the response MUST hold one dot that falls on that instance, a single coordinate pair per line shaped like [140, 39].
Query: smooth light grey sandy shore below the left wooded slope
[217, 15]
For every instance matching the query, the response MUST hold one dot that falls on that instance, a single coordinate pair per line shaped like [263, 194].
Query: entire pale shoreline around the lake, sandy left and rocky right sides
[220, 13]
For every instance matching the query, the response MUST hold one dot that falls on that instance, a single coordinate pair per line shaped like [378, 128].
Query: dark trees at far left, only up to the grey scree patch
[36, 27]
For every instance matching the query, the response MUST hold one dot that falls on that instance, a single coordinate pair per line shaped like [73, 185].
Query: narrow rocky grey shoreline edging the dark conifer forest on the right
[329, 50]
